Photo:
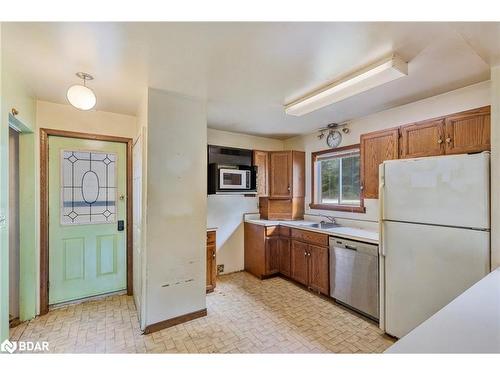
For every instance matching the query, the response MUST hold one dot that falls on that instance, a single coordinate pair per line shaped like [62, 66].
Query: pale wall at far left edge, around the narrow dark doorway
[17, 94]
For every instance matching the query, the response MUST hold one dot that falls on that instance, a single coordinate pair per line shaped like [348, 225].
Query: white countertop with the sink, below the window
[342, 231]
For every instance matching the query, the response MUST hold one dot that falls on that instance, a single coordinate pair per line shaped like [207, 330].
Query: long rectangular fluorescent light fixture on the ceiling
[372, 76]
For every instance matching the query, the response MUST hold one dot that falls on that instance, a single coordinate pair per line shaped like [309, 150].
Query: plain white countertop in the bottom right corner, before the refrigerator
[468, 324]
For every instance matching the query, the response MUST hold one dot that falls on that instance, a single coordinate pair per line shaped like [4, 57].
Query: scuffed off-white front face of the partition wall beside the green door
[176, 206]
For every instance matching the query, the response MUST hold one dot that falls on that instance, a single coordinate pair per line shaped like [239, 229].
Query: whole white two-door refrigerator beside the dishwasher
[434, 235]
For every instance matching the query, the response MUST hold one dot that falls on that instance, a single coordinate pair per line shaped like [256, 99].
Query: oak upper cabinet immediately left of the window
[286, 174]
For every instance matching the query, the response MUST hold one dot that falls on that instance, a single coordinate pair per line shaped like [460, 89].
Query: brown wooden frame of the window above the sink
[329, 206]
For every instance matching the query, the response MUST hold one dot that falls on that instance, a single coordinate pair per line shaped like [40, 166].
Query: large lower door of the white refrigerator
[426, 267]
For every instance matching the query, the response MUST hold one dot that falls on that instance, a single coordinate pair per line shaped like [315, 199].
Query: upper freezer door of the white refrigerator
[444, 190]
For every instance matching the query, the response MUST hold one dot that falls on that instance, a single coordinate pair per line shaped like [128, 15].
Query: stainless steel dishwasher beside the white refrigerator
[354, 275]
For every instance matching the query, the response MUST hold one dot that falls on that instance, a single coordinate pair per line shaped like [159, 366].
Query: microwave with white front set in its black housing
[231, 179]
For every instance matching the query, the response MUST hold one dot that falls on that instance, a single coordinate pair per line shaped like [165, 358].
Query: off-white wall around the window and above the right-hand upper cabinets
[470, 97]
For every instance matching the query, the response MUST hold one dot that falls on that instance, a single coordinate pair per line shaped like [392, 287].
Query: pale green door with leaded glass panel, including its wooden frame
[85, 216]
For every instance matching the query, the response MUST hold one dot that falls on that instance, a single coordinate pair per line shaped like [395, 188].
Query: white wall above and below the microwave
[225, 211]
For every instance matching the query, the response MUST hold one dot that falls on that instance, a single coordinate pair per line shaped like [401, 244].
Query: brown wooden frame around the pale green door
[44, 207]
